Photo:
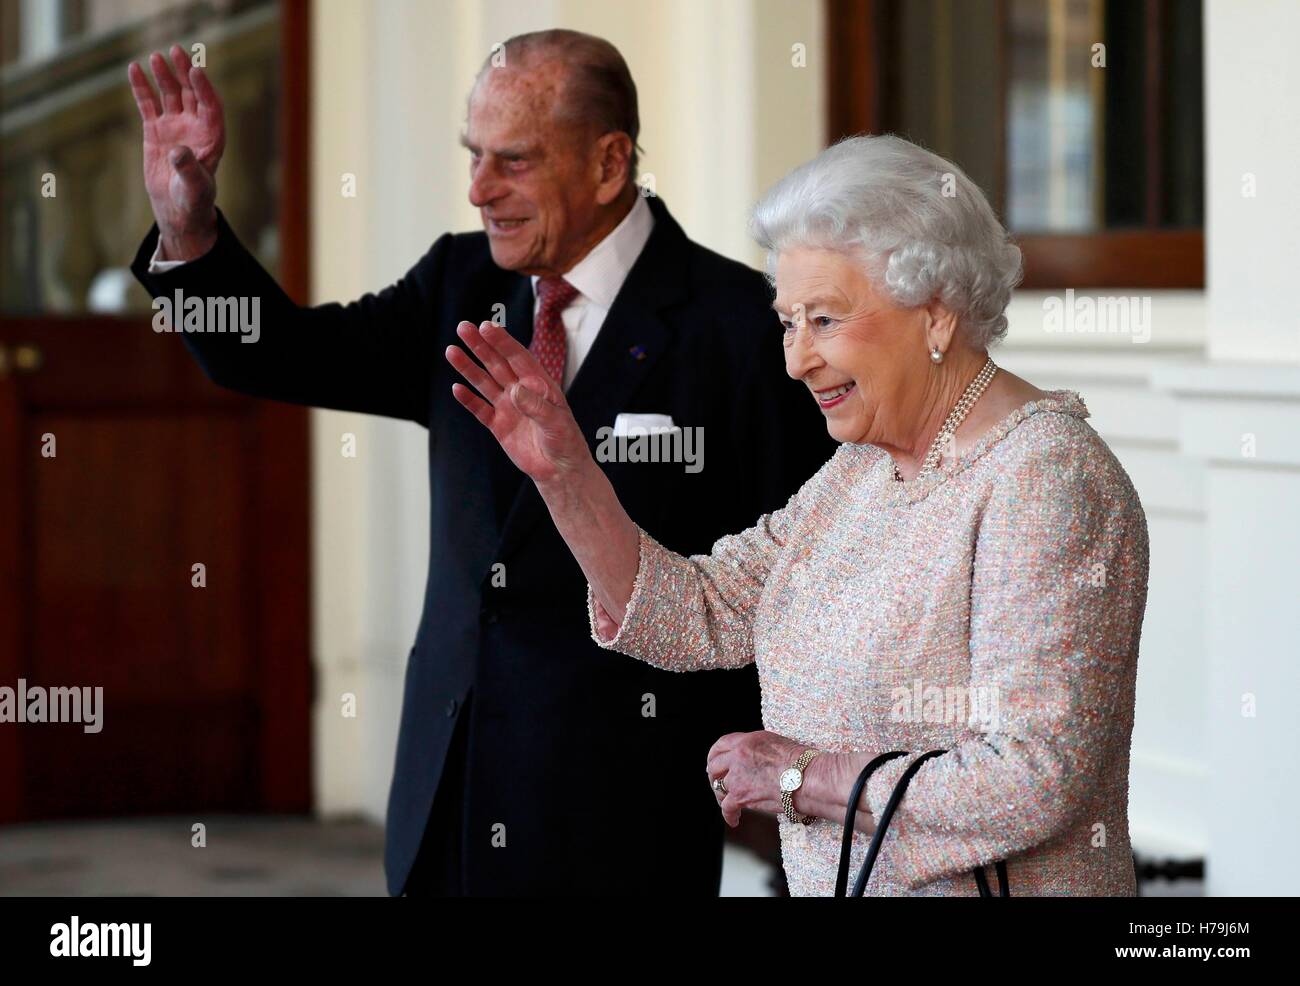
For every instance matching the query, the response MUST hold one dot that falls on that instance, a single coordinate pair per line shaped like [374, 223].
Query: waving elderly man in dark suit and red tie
[528, 763]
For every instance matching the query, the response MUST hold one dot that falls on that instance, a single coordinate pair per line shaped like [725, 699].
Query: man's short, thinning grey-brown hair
[599, 90]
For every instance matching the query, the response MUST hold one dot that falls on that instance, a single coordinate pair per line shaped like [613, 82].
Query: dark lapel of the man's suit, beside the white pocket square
[631, 341]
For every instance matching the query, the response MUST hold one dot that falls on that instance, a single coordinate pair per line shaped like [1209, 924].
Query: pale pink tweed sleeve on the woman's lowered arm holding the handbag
[1058, 600]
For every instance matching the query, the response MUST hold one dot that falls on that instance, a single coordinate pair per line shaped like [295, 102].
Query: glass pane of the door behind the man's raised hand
[73, 197]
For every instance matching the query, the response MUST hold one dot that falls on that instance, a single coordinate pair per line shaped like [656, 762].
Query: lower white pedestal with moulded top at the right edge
[1243, 423]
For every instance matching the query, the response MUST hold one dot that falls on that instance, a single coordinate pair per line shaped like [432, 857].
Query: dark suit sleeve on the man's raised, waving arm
[371, 356]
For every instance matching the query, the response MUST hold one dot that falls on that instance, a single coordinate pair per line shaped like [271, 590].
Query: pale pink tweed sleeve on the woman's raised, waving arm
[697, 613]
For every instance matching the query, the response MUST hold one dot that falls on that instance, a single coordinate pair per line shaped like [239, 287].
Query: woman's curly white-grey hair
[924, 230]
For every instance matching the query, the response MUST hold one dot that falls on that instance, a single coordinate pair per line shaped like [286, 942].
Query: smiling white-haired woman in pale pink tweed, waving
[968, 573]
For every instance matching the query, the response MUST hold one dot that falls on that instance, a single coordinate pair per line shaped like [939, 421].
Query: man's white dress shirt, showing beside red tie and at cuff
[599, 276]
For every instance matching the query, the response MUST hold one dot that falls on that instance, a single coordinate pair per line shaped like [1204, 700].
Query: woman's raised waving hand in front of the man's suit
[518, 403]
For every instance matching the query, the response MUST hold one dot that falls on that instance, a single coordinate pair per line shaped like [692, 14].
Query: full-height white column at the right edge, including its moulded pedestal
[1240, 417]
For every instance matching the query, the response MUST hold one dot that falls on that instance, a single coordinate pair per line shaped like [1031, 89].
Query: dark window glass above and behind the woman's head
[1074, 116]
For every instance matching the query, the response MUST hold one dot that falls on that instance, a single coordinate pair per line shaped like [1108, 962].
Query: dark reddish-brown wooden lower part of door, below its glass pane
[123, 470]
